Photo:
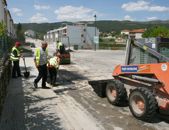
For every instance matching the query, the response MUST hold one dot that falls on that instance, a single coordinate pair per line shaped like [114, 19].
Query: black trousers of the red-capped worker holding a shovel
[16, 69]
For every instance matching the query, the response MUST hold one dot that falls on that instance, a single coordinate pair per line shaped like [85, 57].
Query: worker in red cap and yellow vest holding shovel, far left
[15, 57]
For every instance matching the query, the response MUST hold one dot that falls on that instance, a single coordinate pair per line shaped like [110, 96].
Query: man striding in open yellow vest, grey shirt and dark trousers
[41, 60]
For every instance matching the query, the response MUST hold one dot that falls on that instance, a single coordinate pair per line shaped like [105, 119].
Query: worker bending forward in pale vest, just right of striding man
[53, 67]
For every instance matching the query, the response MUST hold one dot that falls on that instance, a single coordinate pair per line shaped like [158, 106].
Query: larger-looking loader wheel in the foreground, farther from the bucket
[142, 104]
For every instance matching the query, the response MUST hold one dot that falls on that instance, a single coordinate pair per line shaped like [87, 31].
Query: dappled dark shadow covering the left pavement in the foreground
[20, 111]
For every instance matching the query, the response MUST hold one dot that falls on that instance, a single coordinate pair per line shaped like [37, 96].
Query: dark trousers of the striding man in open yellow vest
[42, 75]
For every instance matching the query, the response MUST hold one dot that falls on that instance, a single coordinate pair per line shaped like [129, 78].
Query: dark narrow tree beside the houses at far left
[20, 33]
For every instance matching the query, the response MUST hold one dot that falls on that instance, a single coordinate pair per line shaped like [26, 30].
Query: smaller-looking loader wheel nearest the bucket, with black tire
[121, 93]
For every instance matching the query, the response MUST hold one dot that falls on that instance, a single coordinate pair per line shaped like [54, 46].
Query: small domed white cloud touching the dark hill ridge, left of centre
[38, 18]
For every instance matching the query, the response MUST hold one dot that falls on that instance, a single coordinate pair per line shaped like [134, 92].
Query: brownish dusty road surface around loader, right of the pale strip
[96, 65]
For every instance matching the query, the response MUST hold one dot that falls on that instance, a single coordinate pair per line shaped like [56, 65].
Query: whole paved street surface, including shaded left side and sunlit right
[72, 104]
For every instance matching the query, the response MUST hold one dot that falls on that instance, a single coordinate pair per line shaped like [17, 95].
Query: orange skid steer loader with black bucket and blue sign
[146, 71]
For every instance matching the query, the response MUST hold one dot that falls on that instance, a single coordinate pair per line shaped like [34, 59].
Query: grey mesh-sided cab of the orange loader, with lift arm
[140, 54]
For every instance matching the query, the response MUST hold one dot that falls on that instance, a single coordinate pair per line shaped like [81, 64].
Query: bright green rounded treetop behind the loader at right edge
[158, 31]
